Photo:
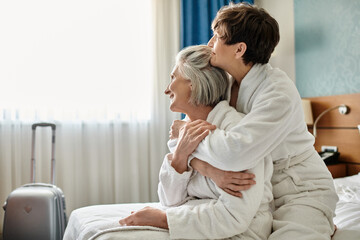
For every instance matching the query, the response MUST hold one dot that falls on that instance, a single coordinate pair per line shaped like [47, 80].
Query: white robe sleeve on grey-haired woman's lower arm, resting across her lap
[217, 218]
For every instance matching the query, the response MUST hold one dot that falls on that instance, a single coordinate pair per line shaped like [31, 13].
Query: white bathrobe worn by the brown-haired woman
[274, 126]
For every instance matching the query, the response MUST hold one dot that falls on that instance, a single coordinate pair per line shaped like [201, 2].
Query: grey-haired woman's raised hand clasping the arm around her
[190, 135]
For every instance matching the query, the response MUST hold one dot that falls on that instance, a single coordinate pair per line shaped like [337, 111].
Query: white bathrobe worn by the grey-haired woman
[216, 214]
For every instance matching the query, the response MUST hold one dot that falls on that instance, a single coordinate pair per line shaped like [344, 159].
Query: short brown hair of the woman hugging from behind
[251, 25]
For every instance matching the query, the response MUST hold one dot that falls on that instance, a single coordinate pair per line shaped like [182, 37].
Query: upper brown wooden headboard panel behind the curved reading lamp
[334, 118]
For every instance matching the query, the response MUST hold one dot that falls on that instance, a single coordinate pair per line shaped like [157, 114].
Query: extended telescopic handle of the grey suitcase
[53, 128]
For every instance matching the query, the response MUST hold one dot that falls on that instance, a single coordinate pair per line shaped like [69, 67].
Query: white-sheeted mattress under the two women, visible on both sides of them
[100, 222]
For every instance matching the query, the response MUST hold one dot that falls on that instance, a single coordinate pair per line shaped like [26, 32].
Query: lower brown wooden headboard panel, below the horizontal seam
[347, 141]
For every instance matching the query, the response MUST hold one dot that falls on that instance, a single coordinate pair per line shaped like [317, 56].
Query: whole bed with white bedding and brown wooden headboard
[100, 222]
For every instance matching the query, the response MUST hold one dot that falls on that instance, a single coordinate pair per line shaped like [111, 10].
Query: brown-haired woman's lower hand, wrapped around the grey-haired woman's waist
[231, 182]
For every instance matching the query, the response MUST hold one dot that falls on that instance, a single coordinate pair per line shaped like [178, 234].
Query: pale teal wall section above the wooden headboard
[327, 47]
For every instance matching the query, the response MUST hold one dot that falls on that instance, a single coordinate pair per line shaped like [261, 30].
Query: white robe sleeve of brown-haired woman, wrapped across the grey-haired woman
[272, 117]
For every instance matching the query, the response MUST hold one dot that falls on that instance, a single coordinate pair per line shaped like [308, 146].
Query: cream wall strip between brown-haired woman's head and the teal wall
[284, 55]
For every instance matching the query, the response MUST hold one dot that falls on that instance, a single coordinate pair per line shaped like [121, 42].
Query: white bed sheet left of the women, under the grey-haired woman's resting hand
[101, 222]
